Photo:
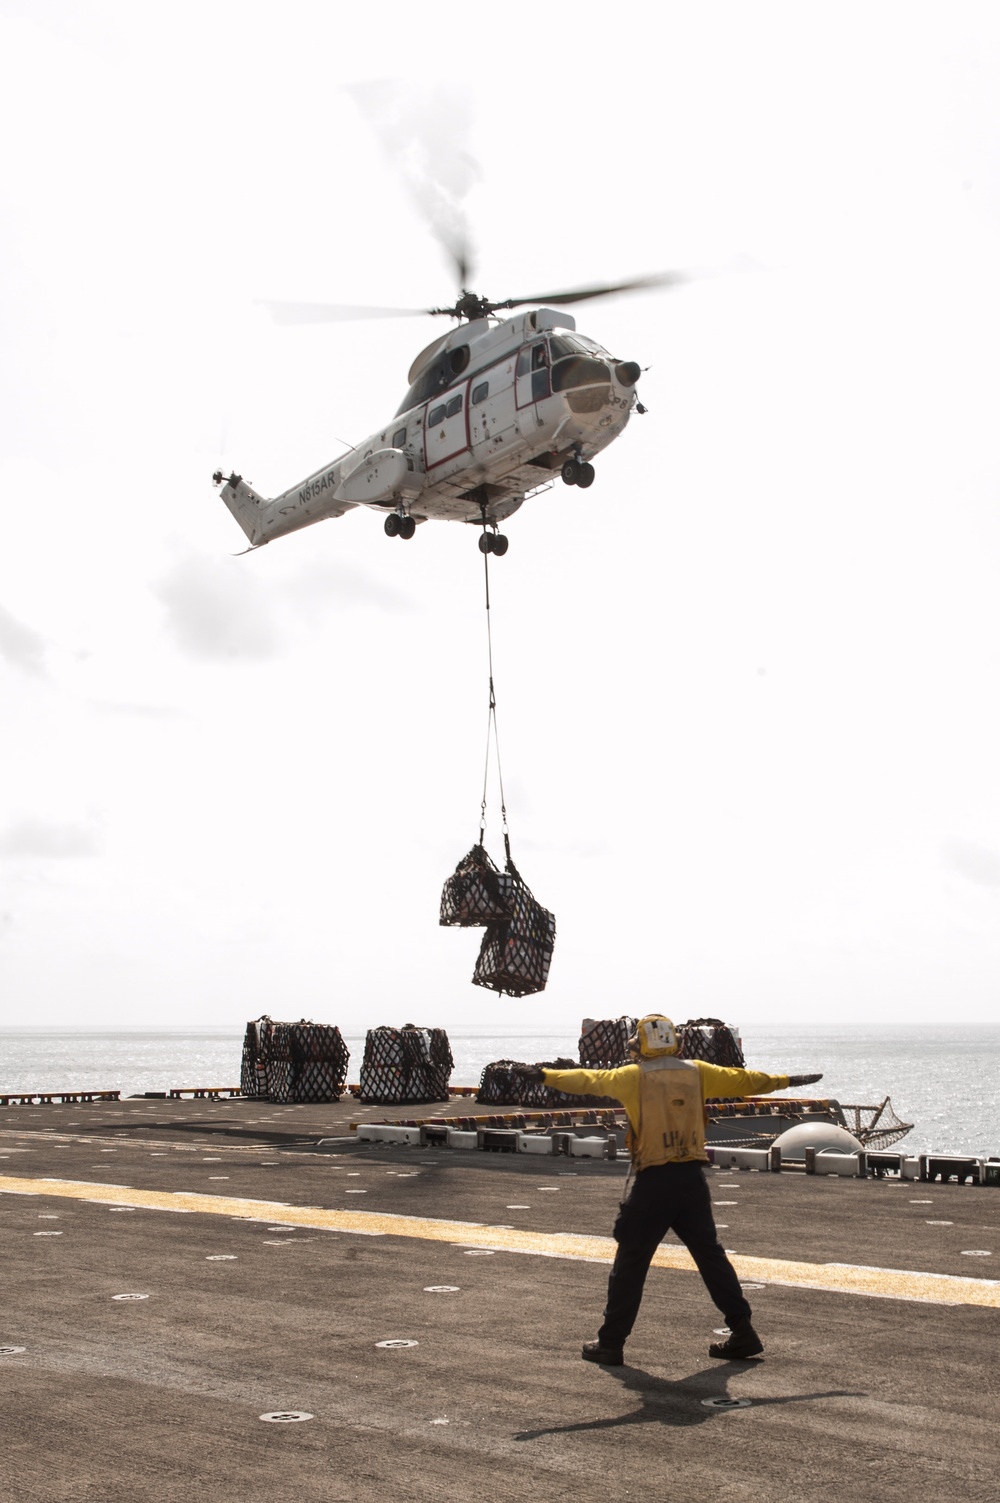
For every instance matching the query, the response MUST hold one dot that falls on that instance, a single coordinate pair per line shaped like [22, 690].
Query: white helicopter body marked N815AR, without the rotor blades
[492, 413]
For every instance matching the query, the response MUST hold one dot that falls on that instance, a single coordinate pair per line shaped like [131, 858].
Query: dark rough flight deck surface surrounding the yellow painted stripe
[162, 1399]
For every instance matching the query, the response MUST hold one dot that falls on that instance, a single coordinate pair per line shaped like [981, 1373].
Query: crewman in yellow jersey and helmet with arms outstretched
[665, 1101]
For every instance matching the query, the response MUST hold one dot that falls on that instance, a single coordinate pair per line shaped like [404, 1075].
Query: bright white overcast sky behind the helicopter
[747, 683]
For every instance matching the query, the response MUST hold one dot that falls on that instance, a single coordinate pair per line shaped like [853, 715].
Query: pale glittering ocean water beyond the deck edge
[944, 1080]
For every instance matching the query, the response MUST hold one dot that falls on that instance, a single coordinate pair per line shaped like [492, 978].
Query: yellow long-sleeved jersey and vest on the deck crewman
[665, 1101]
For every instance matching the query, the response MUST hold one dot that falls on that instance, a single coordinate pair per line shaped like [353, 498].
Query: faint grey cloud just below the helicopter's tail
[219, 612]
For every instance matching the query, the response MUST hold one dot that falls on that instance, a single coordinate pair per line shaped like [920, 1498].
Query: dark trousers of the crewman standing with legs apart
[668, 1196]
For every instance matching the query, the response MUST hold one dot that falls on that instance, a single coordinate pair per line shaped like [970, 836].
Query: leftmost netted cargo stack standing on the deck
[303, 1062]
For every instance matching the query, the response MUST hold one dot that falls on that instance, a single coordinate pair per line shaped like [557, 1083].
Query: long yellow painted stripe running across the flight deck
[938, 1289]
